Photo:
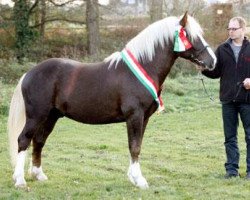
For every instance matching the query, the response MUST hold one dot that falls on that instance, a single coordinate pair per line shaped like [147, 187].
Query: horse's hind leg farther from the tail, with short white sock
[38, 143]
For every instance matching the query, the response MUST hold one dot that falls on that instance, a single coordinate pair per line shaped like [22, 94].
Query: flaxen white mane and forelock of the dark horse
[159, 33]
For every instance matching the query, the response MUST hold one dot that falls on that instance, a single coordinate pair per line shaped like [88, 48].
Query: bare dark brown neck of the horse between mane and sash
[161, 64]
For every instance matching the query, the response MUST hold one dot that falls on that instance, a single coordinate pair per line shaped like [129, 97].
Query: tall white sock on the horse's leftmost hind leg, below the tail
[18, 175]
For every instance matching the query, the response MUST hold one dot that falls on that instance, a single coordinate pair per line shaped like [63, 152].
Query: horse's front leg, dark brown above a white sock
[136, 126]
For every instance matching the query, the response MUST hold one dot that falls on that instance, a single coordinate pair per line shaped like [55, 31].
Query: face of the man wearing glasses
[235, 31]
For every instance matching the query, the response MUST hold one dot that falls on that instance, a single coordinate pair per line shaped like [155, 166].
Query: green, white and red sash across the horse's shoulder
[142, 76]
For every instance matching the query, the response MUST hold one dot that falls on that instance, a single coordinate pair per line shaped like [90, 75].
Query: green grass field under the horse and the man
[182, 154]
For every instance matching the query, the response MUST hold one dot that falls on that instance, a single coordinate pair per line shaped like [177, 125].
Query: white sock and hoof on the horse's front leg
[135, 175]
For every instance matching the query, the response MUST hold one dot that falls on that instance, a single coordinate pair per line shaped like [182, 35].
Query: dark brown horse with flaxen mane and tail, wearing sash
[110, 91]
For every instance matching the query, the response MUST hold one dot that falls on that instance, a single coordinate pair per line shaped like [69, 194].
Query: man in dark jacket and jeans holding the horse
[233, 69]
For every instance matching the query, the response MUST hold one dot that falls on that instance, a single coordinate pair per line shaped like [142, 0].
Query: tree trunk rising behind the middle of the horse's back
[92, 20]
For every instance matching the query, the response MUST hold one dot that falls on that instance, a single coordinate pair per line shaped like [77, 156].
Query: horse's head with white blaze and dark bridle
[198, 52]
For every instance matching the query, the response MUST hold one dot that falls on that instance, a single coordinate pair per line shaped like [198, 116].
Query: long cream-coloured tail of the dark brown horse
[16, 120]
